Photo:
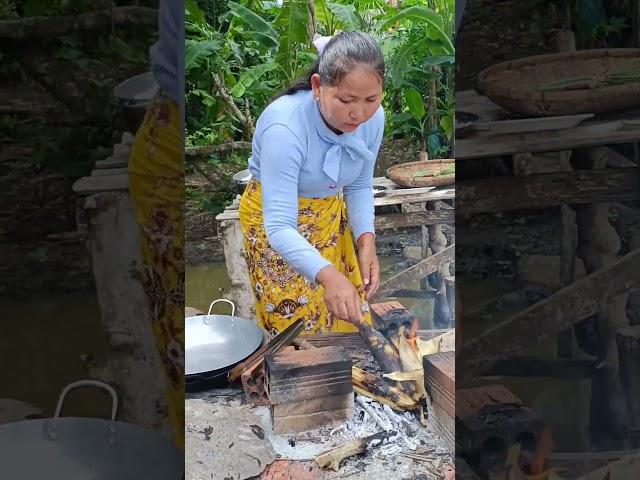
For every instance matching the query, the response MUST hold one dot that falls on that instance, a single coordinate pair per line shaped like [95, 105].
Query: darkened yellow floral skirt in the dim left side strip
[156, 184]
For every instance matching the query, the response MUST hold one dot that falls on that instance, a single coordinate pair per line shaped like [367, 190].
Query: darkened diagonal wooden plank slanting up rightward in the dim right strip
[566, 307]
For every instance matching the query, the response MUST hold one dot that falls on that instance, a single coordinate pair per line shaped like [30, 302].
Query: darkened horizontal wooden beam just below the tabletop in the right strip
[545, 190]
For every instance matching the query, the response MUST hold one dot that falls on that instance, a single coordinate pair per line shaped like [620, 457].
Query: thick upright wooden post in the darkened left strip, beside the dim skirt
[133, 361]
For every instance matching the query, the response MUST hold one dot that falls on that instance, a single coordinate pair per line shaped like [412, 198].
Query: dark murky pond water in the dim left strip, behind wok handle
[40, 347]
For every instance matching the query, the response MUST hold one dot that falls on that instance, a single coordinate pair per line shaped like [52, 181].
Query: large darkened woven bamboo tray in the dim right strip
[587, 81]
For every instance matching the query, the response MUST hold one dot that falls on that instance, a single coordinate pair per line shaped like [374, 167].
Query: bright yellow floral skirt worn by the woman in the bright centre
[283, 295]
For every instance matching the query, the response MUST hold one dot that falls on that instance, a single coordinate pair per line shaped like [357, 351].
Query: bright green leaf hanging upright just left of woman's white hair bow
[292, 23]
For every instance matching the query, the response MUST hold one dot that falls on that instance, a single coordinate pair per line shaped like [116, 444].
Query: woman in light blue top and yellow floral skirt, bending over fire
[314, 152]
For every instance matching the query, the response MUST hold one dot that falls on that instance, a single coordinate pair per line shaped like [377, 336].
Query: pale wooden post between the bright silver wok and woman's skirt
[240, 284]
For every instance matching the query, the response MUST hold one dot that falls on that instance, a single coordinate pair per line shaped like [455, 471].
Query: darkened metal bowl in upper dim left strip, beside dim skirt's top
[133, 96]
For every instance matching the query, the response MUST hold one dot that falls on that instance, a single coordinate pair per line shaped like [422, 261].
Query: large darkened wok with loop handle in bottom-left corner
[67, 448]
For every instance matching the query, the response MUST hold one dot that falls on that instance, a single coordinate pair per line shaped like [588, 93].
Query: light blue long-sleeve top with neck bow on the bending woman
[295, 154]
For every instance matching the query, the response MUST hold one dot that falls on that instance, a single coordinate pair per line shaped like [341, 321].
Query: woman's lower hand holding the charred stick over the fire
[340, 295]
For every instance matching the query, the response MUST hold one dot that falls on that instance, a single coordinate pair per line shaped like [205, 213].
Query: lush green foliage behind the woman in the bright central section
[240, 53]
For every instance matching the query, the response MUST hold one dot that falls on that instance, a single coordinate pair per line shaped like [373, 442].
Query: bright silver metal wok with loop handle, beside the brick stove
[214, 344]
